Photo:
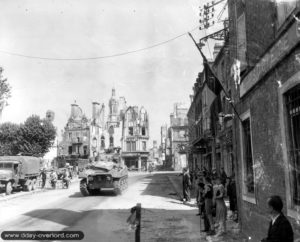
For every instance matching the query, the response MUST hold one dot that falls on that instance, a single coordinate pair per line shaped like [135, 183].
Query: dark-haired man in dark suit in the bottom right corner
[280, 229]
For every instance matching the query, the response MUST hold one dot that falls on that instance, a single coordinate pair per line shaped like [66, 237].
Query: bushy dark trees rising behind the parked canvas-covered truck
[34, 137]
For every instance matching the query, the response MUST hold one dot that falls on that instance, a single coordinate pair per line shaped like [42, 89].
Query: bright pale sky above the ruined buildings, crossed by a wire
[155, 78]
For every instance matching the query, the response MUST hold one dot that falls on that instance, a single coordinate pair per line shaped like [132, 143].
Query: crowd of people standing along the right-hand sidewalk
[211, 192]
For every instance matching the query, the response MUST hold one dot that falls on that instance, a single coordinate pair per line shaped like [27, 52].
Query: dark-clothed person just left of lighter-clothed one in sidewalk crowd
[208, 197]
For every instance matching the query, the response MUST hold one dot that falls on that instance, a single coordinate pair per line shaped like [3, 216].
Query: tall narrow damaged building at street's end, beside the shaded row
[177, 137]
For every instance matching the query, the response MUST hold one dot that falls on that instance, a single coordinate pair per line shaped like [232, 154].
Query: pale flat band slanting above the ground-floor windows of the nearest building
[270, 59]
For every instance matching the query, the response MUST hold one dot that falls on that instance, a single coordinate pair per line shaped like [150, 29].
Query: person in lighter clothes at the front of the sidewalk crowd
[221, 210]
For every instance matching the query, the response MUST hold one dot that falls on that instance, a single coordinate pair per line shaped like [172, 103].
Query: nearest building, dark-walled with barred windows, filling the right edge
[264, 41]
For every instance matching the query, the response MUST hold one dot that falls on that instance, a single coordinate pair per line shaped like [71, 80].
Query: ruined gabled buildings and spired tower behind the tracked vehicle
[85, 138]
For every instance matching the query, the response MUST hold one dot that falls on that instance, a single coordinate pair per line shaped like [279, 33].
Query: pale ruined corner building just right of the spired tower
[135, 137]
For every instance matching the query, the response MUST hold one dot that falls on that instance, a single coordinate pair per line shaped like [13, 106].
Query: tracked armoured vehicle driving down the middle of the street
[106, 174]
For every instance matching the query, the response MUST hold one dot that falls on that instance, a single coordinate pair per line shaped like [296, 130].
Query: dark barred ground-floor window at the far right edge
[293, 113]
